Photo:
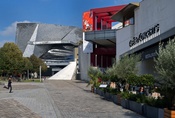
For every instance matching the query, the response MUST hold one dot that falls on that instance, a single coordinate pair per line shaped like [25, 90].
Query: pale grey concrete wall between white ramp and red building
[84, 63]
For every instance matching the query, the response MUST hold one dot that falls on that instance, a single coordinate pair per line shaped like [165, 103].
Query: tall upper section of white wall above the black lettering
[152, 12]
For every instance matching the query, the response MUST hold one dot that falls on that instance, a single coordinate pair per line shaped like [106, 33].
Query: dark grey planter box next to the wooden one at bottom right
[152, 112]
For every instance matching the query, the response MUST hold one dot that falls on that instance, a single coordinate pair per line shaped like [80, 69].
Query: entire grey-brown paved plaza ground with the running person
[57, 99]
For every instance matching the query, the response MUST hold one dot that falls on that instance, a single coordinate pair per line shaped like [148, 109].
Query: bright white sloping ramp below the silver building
[66, 73]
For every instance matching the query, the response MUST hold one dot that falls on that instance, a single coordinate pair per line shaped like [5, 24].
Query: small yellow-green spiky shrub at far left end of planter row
[94, 74]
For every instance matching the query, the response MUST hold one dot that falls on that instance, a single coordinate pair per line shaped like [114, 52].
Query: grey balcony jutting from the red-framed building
[102, 37]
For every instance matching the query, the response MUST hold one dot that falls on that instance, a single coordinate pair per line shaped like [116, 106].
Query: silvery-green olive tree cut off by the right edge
[165, 67]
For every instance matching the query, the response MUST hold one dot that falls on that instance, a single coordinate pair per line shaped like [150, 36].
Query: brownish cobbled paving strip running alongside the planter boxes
[74, 100]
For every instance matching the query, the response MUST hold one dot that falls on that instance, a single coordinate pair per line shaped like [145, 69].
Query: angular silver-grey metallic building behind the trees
[55, 44]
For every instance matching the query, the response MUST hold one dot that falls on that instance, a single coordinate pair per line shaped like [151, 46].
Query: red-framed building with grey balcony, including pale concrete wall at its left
[99, 39]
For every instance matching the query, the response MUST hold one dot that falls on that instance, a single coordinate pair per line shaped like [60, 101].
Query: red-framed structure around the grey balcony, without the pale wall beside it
[97, 26]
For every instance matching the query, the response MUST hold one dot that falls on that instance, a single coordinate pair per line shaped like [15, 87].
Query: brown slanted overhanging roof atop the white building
[127, 12]
